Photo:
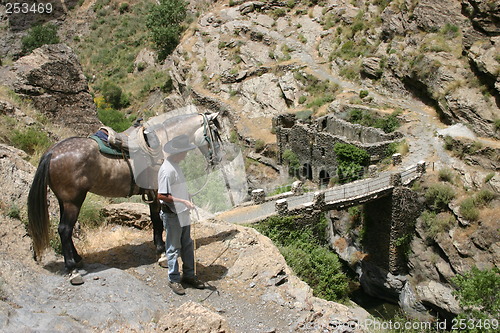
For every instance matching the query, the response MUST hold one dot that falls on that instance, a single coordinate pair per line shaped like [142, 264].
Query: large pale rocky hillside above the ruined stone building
[237, 50]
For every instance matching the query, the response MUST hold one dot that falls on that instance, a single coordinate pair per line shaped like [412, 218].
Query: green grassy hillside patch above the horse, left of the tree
[108, 52]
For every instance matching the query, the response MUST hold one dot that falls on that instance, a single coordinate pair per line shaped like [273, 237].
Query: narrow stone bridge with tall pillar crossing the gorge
[391, 207]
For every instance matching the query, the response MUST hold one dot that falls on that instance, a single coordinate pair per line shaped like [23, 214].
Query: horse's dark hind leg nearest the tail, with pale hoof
[69, 214]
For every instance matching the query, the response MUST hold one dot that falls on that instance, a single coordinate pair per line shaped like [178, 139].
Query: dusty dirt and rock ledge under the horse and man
[125, 290]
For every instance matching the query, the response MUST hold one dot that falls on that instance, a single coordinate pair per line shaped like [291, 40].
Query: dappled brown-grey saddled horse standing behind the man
[75, 166]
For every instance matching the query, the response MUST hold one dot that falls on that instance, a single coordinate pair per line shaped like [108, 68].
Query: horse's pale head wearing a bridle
[208, 139]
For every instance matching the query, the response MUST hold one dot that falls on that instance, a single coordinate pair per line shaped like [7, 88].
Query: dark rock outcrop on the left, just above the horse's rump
[52, 78]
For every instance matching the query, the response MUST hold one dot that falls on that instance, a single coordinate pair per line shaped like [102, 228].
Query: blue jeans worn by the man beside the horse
[178, 243]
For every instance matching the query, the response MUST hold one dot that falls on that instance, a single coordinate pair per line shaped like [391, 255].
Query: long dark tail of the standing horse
[38, 213]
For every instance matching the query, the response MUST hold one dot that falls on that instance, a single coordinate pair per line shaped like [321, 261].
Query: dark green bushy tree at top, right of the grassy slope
[165, 25]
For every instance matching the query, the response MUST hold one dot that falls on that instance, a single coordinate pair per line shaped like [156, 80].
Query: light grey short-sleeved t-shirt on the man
[171, 180]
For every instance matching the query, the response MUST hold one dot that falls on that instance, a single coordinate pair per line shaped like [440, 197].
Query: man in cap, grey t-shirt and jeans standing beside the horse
[174, 199]
